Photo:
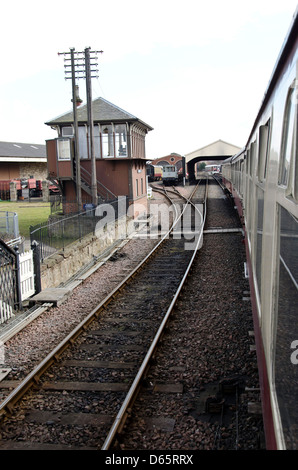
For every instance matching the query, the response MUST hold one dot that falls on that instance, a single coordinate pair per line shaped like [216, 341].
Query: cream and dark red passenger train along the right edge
[263, 180]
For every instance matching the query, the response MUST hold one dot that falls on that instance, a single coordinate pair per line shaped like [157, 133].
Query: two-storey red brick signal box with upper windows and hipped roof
[119, 148]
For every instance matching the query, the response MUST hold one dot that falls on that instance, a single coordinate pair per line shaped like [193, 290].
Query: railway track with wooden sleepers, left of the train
[87, 385]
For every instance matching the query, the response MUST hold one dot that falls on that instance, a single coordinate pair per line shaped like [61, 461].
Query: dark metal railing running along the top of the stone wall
[60, 232]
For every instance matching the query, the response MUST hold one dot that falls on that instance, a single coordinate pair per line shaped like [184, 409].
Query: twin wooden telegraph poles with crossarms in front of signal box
[81, 64]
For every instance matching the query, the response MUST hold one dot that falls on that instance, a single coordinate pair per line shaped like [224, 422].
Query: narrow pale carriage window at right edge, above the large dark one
[287, 139]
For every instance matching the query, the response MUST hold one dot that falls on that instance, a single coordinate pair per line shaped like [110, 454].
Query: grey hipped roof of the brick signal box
[102, 110]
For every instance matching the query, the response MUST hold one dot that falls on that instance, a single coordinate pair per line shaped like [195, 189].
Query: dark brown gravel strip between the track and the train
[198, 390]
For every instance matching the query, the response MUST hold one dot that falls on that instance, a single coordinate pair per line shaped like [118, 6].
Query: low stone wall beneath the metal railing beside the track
[61, 266]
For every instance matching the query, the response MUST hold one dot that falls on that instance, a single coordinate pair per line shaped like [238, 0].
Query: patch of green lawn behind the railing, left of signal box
[29, 213]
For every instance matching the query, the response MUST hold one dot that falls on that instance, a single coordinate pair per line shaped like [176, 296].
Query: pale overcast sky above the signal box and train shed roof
[196, 71]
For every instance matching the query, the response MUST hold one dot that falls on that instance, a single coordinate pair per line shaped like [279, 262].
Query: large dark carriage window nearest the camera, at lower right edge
[286, 370]
